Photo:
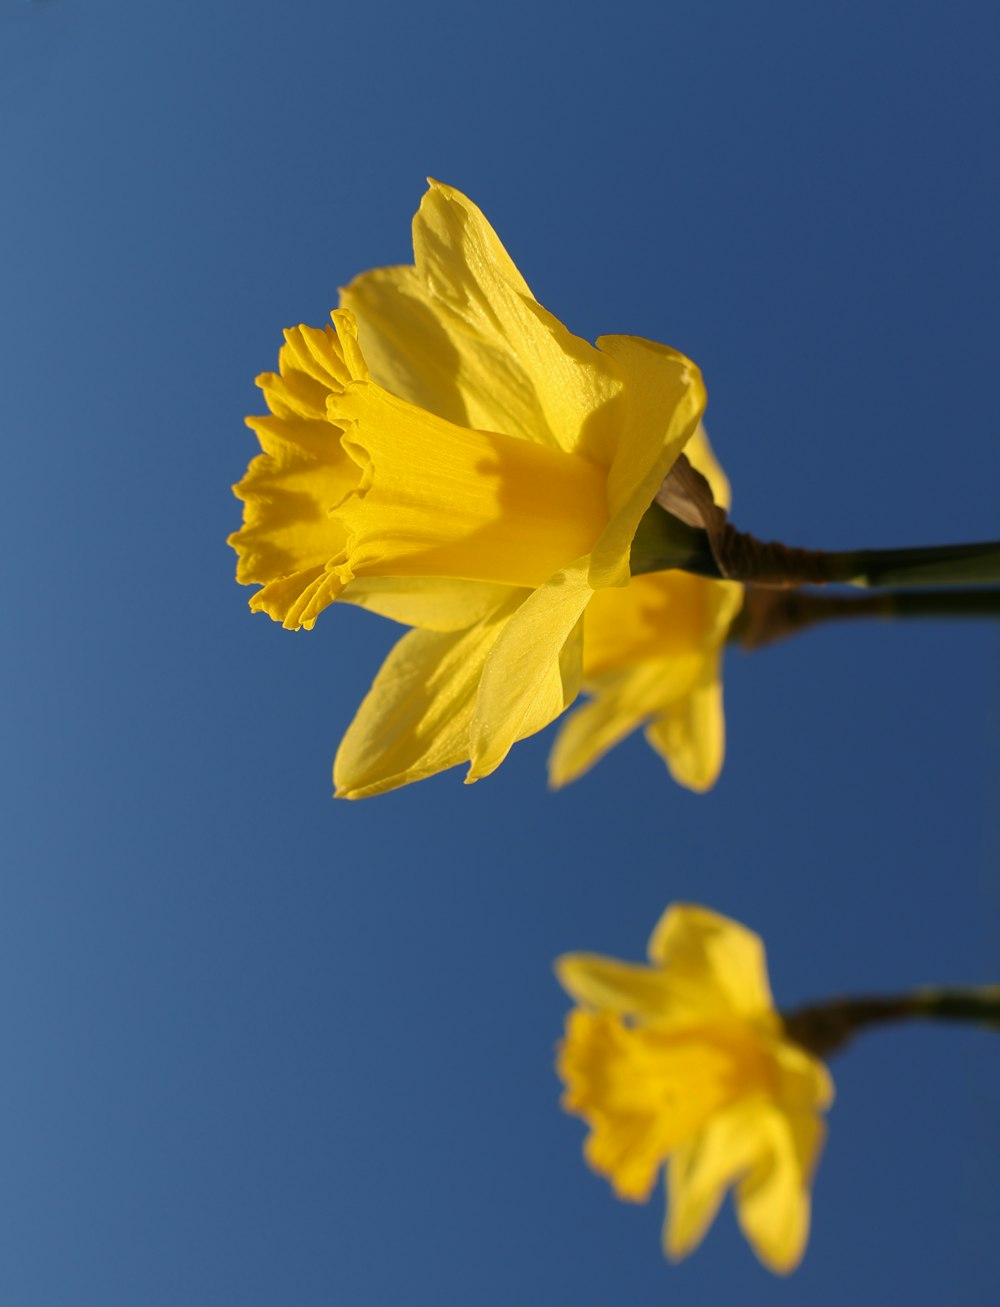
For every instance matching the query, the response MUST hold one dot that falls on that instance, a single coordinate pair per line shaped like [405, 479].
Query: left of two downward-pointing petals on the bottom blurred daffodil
[701, 1172]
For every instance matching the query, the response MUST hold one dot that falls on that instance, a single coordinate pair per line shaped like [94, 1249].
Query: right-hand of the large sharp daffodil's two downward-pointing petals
[534, 670]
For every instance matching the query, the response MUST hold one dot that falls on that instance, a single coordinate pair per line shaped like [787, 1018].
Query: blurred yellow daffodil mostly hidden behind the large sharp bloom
[653, 657]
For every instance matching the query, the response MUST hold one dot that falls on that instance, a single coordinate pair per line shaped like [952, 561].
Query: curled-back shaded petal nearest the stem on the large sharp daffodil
[663, 401]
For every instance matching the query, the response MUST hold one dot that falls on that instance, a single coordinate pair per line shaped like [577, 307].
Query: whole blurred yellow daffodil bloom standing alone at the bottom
[686, 1063]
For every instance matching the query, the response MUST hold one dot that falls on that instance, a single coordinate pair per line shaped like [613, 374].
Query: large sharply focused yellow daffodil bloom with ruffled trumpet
[450, 455]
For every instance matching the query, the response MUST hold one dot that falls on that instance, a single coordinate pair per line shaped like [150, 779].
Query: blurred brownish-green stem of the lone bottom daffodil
[825, 1028]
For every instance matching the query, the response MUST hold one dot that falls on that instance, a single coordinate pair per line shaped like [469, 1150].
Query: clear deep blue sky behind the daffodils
[262, 1048]
